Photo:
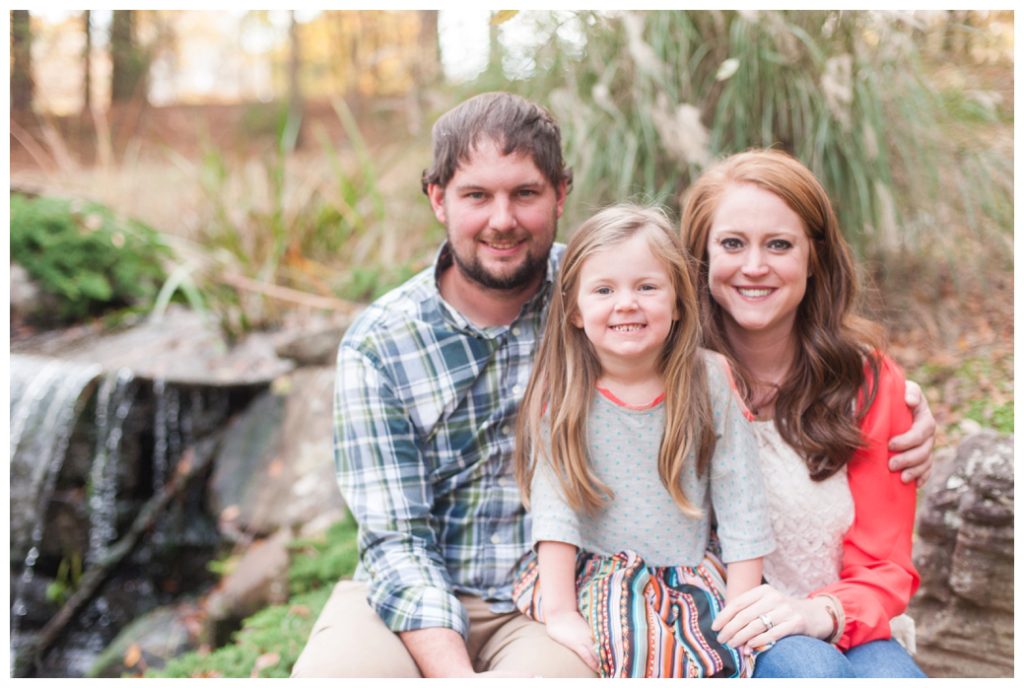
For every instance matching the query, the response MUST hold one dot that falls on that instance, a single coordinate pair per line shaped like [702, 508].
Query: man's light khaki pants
[351, 640]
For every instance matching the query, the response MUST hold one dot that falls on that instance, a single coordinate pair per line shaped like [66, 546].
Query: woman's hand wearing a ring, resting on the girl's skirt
[763, 616]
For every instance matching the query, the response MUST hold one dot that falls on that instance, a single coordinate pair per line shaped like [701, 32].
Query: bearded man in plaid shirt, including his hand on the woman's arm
[430, 382]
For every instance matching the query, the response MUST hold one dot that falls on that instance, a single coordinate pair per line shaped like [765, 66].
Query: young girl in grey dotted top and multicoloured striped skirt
[629, 436]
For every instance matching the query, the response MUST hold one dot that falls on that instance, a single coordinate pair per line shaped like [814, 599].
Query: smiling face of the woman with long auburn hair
[758, 253]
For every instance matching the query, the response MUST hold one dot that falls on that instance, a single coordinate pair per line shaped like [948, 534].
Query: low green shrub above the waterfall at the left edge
[81, 253]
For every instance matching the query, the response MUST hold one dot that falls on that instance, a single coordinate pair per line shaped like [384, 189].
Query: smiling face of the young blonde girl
[626, 305]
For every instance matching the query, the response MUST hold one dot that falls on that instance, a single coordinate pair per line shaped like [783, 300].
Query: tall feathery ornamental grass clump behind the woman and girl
[656, 97]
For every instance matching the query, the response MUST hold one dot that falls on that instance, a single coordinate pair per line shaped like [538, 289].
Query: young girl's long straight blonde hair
[566, 372]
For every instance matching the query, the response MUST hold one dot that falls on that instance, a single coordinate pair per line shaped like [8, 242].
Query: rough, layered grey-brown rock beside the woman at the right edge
[965, 608]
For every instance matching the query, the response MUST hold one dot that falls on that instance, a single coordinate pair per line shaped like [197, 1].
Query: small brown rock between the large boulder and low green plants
[260, 579]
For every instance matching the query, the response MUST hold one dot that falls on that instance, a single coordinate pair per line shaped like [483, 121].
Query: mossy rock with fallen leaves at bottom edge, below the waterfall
[151, 641]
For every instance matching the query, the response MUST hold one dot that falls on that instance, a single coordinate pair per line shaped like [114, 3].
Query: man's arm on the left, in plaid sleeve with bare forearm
[387, 485]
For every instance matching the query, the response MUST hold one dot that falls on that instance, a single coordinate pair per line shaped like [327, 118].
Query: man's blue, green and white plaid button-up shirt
[424, 415]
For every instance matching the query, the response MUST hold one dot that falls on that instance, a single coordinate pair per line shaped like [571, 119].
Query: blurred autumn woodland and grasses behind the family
[270, 161]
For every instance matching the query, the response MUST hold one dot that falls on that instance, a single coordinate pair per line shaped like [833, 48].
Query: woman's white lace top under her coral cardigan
[808, 519]
